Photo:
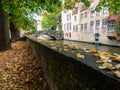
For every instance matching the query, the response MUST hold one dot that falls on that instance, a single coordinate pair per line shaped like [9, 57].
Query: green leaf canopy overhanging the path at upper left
[20, 11]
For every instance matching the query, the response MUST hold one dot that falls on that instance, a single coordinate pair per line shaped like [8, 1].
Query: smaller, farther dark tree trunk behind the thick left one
[15, 33]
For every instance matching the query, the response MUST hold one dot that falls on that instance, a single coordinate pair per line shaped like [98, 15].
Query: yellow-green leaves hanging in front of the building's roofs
[113, 5]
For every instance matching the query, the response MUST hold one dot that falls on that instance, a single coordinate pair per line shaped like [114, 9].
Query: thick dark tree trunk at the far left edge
[4, 32]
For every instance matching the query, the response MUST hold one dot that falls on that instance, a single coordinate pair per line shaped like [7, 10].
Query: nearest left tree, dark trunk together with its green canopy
[14, 9]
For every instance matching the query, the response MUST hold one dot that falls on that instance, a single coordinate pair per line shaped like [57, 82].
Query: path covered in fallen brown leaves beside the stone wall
[19, 69]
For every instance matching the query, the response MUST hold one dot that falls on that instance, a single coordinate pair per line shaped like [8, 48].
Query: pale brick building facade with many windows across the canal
[85, 24]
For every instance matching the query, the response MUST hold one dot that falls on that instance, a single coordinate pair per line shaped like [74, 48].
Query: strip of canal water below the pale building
[108, 49]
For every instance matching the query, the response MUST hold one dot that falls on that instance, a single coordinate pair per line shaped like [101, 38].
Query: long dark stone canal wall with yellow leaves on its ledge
[66, 72]
